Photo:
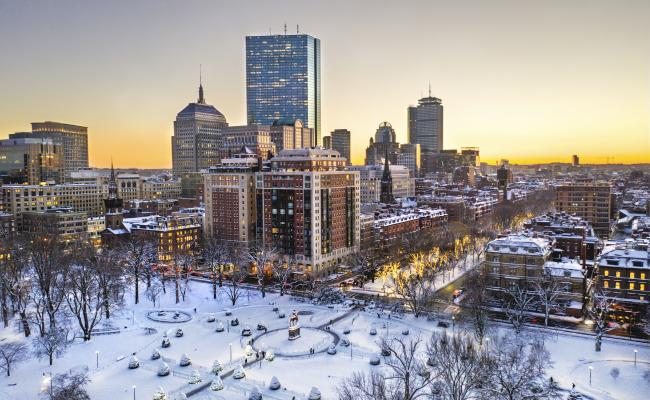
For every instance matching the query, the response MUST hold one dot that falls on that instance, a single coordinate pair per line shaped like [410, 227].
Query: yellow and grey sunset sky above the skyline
[526, 81]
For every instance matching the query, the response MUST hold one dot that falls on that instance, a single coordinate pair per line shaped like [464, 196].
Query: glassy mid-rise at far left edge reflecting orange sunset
[32, 160]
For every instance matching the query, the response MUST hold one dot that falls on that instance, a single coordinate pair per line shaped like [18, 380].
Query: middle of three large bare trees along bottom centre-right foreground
[458, 368]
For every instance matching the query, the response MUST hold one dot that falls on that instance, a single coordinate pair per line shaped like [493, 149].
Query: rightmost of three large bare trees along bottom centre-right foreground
[518, 370]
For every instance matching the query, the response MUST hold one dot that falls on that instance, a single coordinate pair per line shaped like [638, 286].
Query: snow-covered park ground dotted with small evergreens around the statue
[298, 371]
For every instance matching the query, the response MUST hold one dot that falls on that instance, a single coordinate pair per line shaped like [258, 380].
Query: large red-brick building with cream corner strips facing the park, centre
[308, 208]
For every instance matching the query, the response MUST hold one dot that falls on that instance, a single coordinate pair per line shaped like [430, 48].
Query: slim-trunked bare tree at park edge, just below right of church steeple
[138, 254]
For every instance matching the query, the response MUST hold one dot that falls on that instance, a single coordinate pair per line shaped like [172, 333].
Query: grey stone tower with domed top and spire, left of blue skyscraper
[196, 134]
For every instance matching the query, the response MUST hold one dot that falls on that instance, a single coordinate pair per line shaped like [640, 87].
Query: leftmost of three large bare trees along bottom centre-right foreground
[404, 377]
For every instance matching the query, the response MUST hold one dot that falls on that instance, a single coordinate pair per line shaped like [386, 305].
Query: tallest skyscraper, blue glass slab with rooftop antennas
[283, 80]
